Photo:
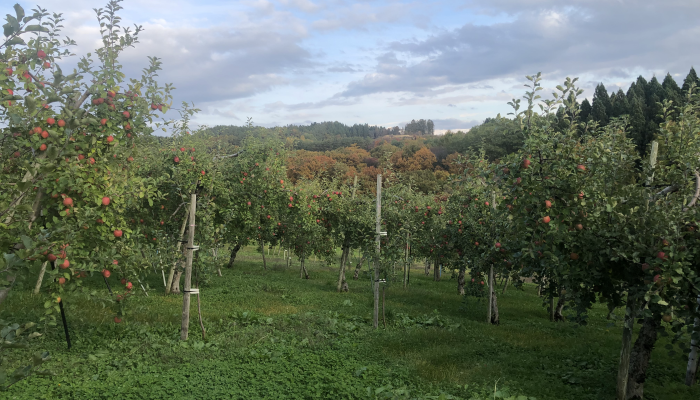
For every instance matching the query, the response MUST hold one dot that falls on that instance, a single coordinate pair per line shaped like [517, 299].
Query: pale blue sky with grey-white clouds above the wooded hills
[386, 62]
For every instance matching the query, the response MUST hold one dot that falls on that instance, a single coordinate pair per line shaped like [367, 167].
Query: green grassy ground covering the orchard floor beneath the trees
[273, 335]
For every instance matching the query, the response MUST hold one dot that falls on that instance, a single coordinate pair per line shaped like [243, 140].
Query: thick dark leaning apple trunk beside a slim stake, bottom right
[639, 359]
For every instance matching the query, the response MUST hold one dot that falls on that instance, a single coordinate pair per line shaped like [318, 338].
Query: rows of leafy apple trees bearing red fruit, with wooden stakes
[89, 192]
